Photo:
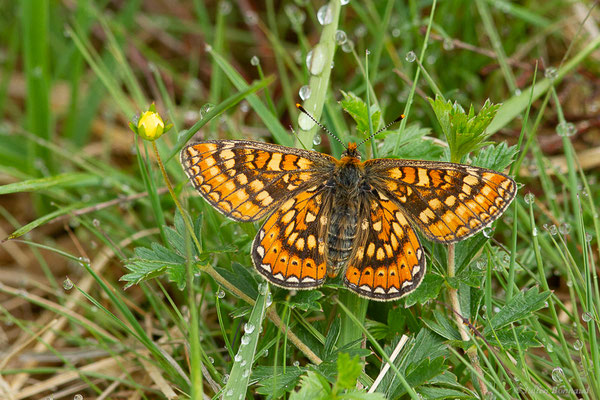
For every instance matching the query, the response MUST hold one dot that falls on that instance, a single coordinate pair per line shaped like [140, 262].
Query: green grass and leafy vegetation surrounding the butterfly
[103, 294]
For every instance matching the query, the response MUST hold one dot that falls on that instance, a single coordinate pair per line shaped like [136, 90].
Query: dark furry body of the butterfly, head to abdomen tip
[347, 187]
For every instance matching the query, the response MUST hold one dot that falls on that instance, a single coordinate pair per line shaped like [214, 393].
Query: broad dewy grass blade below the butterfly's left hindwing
[237, 384]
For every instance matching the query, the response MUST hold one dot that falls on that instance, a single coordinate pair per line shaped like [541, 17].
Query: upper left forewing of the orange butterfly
[246, 180]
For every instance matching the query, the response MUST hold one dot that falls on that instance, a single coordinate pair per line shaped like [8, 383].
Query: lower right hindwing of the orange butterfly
[388, 261]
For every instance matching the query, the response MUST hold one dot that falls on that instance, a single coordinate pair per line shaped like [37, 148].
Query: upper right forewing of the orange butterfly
[448, 202]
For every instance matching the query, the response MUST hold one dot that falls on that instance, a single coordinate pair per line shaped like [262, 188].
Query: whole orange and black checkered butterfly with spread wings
[325, 216]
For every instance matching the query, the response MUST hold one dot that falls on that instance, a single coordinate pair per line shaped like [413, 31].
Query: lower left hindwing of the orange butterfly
[288, 249]
